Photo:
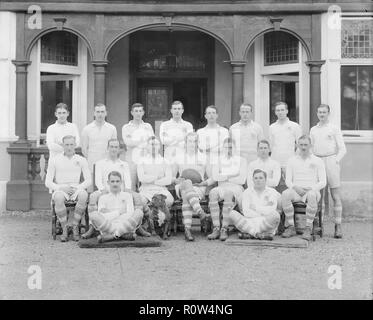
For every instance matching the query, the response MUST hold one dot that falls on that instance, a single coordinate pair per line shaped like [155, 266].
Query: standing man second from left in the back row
[95, 136]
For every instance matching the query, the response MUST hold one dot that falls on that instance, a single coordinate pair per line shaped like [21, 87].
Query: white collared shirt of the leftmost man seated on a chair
[64, 171]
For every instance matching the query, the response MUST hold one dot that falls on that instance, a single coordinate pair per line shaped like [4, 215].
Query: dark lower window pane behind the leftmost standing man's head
[52, 93]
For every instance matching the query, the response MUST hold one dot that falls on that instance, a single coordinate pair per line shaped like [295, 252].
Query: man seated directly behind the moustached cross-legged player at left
[102, 169]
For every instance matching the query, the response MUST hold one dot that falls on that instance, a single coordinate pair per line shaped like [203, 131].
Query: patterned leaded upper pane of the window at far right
[357, 39]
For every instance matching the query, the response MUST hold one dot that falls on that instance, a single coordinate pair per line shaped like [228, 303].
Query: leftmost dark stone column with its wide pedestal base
[18, 188]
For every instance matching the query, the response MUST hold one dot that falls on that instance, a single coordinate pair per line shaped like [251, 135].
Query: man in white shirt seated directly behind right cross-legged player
[265, 163]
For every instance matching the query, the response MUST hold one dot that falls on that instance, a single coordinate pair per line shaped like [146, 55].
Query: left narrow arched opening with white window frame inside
[59, 72]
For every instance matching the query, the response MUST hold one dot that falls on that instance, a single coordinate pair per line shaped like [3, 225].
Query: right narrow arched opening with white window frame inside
[276, 71]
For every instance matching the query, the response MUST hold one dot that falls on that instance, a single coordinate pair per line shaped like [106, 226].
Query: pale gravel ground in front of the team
[179, 270]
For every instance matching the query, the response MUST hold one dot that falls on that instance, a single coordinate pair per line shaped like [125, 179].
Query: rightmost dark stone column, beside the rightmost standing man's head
[315, 88]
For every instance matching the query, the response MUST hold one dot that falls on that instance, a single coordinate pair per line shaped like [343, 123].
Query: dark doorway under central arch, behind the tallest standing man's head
[157, 96]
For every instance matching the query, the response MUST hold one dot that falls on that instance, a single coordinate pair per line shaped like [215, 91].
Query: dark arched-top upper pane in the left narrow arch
[59, 47]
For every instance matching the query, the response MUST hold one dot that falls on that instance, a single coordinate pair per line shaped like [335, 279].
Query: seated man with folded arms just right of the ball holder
[230, 173]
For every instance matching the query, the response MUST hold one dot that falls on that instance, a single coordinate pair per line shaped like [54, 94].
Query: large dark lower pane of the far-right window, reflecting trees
[357, 97]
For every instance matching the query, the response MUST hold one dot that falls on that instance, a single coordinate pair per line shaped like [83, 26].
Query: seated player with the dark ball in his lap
[191, 194]
